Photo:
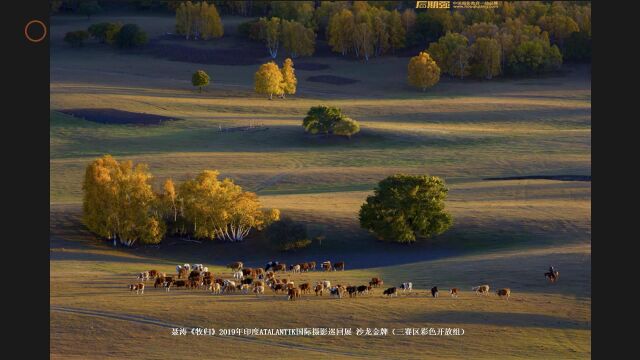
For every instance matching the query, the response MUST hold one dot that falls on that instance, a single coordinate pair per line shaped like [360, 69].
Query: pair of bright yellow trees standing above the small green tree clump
[271, 80]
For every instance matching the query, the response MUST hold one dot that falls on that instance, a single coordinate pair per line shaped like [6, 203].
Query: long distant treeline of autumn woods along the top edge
[515, 38]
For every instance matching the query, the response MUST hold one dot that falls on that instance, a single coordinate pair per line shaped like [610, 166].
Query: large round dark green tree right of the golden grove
[405, 208]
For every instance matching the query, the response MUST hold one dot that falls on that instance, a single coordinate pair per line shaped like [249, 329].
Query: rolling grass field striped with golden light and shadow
[506, 233]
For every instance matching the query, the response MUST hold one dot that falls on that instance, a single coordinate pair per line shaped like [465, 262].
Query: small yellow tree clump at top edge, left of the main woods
[198, 21]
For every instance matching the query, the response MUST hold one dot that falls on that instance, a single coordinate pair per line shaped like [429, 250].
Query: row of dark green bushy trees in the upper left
[122, 36]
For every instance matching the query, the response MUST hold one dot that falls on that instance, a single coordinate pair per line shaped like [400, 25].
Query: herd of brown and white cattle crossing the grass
[257, 280]
